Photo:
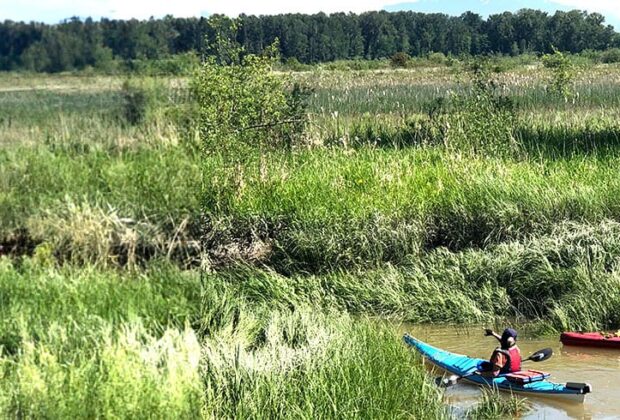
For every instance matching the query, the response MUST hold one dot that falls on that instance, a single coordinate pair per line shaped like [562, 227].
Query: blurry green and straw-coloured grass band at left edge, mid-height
[100, 205]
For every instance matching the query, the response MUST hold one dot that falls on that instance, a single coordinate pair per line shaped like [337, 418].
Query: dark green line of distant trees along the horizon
[76, 44]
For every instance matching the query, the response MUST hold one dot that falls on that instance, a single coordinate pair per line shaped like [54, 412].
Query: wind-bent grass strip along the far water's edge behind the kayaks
[567, 280]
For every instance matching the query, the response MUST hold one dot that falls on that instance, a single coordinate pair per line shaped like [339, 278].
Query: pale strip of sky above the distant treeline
[52, 11]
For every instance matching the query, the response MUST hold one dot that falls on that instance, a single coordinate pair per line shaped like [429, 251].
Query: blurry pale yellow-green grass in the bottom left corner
[128, 374]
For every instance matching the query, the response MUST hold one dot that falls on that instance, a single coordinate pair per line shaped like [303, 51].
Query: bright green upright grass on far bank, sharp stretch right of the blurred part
[372, 206]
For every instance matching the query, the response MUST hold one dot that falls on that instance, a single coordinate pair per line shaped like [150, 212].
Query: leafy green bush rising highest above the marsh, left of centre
[243, 103]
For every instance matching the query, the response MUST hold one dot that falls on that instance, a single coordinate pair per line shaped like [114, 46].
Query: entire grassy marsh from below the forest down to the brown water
[141, 276]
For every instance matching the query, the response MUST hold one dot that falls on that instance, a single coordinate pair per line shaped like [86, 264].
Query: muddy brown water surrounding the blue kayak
[598, 367]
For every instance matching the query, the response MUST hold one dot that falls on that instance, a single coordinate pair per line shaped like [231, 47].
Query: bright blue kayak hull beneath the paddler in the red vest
[461, 365]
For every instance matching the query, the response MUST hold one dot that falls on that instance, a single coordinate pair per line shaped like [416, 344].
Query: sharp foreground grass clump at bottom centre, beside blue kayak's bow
[347, 369]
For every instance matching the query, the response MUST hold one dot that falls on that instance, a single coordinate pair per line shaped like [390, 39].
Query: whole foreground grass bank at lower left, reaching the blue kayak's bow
[88, 343]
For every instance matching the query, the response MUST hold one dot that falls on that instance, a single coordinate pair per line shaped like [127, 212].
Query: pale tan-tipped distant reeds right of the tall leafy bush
[404, 93]
